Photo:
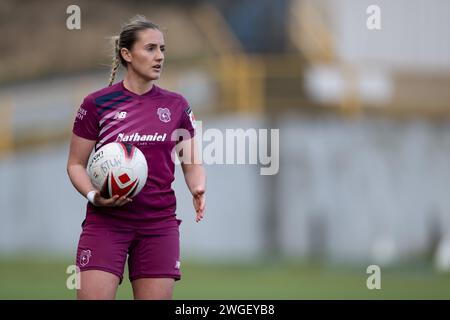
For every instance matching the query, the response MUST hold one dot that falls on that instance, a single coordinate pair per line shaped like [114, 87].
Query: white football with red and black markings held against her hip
[118, 168]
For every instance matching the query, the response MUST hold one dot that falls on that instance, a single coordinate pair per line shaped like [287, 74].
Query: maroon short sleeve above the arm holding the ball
[86, 120]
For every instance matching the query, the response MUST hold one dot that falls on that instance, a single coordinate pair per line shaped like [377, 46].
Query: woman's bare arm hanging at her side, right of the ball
[194, 174]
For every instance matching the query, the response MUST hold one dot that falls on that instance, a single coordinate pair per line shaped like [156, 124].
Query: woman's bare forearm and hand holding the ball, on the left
[80, 149]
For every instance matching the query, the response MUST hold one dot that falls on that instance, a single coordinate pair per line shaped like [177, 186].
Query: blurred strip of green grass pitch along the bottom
[31, 278]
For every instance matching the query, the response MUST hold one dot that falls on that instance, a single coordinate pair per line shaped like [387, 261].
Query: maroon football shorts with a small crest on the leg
[153, 248]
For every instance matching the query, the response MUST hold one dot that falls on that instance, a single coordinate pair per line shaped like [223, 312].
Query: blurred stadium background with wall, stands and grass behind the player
[364, 143]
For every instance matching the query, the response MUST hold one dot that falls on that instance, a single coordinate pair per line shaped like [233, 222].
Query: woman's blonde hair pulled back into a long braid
[126, 39]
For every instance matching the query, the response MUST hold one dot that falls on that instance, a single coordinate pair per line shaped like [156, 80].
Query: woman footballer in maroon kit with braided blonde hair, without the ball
[144, 228]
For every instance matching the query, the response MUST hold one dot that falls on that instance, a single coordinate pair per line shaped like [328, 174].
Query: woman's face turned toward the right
[146, 57]
